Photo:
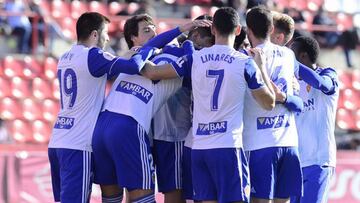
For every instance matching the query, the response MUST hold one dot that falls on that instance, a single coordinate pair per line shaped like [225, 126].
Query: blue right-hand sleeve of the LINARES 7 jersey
[252, 75]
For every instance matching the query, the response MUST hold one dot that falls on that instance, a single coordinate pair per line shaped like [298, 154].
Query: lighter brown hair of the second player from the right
[284, 24]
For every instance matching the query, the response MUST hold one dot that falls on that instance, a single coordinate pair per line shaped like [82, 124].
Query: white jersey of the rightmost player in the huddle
[316, 124]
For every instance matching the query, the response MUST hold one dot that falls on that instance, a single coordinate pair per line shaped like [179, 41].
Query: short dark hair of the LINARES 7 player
[226, 19]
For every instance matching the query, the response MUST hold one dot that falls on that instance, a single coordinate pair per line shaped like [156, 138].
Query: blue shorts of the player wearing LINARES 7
[220, 174]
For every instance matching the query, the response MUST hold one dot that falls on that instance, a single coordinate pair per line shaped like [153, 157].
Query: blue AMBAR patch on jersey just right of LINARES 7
[272, 122]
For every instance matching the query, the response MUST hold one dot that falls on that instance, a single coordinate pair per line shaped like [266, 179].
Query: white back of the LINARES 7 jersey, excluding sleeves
[218, 84]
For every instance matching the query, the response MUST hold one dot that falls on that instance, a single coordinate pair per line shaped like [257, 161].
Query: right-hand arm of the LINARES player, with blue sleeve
[259, 82]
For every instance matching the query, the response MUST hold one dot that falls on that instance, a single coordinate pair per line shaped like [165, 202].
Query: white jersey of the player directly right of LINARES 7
[275, 128]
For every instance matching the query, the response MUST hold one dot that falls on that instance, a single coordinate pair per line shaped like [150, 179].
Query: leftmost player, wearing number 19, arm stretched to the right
[82, 74]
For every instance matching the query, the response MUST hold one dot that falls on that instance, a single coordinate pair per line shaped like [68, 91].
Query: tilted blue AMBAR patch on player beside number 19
[136, 90]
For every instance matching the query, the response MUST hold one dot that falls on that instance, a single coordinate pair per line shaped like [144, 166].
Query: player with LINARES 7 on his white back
[220, 77]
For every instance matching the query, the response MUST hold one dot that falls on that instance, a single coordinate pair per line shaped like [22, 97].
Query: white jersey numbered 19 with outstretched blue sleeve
[82, 74]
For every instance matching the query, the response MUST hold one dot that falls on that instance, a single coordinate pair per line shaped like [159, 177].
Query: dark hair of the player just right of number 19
[131, 27]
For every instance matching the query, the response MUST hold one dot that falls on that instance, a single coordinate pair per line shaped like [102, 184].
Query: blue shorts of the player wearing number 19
[71, 174]
